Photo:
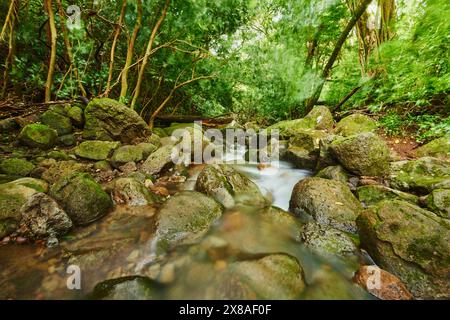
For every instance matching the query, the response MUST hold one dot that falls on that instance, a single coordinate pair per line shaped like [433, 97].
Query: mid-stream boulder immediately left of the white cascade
[229, 186]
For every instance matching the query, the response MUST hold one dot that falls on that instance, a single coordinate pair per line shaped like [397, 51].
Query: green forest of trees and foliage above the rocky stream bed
[264, 60]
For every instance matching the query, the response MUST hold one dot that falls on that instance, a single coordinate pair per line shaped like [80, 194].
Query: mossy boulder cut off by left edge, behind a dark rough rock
[13, 195]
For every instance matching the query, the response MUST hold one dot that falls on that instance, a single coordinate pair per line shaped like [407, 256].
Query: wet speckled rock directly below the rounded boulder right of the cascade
[330, 242]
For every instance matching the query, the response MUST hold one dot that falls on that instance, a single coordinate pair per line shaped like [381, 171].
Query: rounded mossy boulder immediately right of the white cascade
[328, 202]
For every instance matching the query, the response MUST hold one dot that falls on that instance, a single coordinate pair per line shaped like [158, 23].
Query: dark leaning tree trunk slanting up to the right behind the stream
[311, 102]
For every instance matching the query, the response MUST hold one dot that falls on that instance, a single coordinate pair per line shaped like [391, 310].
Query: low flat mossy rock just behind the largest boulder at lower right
[372, 194]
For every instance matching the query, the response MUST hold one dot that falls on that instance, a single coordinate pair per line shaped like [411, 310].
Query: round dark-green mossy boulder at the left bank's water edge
[81, 197]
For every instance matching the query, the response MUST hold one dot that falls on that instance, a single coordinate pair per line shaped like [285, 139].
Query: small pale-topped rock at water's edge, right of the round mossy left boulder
[131, 192]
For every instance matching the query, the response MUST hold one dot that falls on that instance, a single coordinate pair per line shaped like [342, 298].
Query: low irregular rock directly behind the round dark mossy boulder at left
[53, 171]
